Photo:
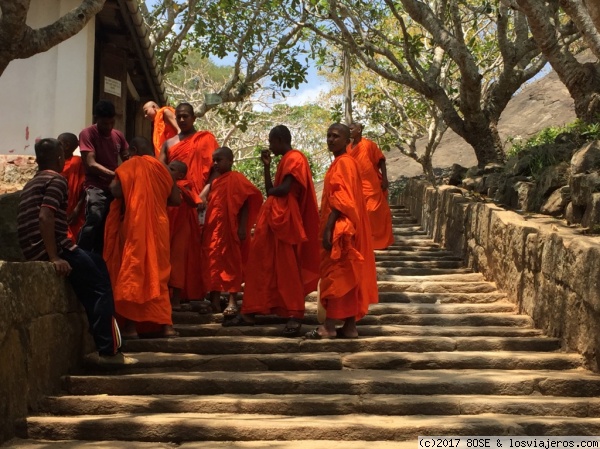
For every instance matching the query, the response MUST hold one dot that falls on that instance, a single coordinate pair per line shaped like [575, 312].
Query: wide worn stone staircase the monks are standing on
[443, 353]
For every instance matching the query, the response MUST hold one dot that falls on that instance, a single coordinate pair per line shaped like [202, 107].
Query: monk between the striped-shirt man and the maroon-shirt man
[75, 174]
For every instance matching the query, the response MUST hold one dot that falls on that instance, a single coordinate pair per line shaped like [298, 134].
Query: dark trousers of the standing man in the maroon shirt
[91, 236]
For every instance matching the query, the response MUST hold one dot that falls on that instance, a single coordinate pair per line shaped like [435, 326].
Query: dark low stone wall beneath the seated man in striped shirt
[43, 335]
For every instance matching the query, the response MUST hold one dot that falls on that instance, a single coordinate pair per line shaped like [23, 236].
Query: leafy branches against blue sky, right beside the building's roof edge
[265, 51]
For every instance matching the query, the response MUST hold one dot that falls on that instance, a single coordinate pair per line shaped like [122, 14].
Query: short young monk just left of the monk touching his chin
[232, 203]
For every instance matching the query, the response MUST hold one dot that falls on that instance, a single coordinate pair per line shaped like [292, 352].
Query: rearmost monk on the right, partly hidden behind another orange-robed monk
[371, 163]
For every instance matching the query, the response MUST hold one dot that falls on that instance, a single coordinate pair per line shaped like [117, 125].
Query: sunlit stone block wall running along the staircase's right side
[551, 271]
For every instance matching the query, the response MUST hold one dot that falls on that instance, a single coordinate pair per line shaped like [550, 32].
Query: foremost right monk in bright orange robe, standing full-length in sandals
[348, 276]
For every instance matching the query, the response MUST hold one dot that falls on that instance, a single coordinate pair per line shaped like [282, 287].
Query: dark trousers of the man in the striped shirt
[91, 283]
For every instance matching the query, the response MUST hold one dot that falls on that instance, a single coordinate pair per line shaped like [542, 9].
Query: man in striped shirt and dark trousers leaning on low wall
[42, 231]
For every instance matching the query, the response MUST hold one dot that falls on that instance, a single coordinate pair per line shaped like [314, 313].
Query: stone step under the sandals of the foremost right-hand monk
[191, 330]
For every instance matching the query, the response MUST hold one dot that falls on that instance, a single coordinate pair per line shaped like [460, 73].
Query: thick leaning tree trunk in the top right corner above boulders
[581, 79]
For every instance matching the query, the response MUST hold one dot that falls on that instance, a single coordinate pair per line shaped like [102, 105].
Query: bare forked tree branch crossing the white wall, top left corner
[20, 41]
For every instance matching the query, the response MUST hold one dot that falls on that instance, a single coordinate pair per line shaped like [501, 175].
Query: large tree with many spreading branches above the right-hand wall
[486, 44]
